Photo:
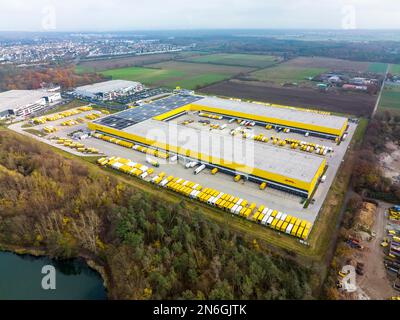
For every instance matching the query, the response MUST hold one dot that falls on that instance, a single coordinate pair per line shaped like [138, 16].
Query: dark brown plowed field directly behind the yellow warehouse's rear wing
[358, 104]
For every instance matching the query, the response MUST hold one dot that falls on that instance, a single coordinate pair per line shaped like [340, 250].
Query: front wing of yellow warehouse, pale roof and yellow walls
[284, 169]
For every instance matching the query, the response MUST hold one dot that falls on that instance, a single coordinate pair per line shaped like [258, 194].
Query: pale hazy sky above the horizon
[103, 15]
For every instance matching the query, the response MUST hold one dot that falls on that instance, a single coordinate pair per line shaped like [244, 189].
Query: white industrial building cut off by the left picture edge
[21, 103]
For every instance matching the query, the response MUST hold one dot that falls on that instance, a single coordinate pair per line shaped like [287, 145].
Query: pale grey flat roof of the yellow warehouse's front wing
[293, 164]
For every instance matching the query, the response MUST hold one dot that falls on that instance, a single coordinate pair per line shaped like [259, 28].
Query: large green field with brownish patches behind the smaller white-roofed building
[172, 73]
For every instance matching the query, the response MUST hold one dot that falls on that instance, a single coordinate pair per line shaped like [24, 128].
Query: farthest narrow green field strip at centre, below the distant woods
[246, 60]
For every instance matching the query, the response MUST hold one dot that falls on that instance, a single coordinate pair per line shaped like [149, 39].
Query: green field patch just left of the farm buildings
[285, 73]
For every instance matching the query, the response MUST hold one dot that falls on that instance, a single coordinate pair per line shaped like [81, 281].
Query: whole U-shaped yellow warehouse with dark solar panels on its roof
[283, 169]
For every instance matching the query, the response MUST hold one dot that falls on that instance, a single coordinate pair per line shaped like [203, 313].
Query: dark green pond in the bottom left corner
[21, 278]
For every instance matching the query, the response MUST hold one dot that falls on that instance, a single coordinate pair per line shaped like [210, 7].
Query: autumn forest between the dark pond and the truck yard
[151, 249]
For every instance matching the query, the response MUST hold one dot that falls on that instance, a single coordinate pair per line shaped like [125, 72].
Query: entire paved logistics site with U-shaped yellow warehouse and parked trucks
[270, 164]
